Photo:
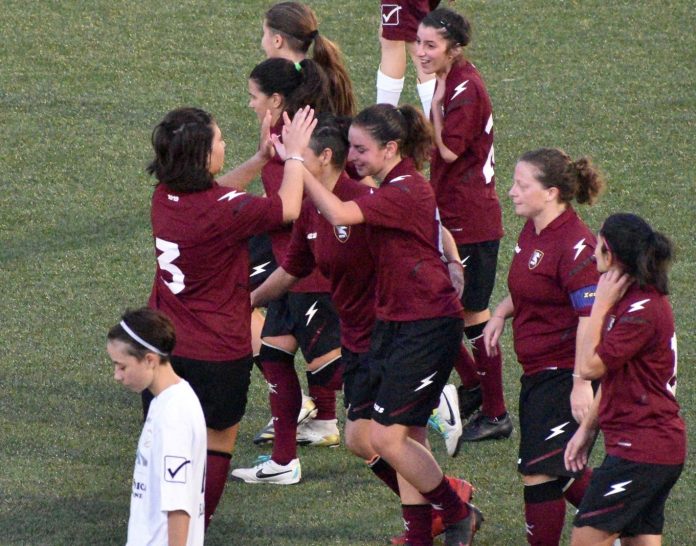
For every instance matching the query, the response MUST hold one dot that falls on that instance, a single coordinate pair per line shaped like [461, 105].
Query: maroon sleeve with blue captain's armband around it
[579, 277]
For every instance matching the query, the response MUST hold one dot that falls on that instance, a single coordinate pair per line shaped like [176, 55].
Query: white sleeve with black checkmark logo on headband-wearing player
[176, 436]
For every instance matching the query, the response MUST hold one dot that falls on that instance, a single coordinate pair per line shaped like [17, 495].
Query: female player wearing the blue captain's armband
[552, 280]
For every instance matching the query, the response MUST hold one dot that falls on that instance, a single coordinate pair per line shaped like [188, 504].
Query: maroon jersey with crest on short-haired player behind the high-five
[343, 256]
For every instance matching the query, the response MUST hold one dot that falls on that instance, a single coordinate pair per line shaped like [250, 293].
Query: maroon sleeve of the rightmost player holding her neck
[628, 336]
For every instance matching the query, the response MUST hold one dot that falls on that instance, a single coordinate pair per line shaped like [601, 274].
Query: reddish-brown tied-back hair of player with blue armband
[578, 180]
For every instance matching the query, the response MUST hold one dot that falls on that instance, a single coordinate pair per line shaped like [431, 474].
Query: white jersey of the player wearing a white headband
[169, 468]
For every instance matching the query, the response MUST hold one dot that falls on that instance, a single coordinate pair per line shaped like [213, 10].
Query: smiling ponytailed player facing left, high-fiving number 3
[419, 322]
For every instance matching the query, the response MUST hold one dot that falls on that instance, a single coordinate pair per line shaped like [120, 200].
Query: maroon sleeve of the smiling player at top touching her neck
[461, 120]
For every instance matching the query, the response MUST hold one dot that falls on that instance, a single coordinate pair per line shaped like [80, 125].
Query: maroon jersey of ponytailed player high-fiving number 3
[412, 281]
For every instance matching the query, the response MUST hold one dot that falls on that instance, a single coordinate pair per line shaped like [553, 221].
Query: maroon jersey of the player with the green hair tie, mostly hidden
[272, 178]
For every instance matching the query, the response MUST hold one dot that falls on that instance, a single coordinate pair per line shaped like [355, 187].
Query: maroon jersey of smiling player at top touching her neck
[465, 188]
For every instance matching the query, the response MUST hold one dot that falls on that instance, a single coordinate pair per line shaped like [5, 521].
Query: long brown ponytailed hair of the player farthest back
[297, 23]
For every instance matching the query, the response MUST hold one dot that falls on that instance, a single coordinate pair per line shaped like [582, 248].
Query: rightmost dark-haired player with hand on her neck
[629, 344]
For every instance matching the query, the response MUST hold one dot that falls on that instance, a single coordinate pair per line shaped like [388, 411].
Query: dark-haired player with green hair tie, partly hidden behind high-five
[305, 317]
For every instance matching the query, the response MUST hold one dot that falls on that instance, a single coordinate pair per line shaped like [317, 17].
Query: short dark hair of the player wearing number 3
[182, 142]
